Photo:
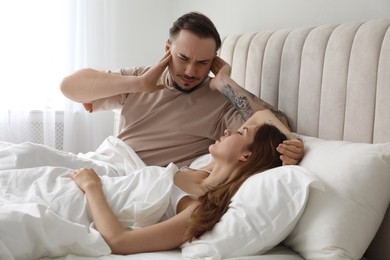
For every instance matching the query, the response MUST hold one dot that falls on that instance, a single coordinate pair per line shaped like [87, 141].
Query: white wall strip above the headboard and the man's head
[234, 16]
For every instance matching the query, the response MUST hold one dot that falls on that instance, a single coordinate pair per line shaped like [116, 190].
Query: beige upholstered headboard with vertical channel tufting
[332, 81]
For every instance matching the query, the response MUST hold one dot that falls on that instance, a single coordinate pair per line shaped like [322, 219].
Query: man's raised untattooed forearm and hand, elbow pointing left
[87, 85]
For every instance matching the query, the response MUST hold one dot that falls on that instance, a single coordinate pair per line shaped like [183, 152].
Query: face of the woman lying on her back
[233, 145]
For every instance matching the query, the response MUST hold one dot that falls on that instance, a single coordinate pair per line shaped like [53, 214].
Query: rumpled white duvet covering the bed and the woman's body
[44, 213]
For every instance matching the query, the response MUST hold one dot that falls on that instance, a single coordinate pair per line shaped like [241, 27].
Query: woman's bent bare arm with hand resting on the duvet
[162, 236]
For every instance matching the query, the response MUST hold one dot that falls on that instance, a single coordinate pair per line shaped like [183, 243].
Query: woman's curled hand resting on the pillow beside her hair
[292, 151]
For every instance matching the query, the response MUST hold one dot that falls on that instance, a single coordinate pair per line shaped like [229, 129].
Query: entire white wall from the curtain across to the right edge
[141, 27]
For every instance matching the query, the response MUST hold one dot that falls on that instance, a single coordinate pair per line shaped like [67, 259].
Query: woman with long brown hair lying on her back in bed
[205, 193]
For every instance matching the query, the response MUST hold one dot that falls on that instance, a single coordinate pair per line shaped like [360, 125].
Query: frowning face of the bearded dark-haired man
[191, 59]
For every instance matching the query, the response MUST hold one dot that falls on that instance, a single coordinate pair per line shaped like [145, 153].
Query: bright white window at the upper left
[34, 53]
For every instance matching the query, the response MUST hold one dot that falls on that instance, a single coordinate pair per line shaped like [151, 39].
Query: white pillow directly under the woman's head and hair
[262, 213]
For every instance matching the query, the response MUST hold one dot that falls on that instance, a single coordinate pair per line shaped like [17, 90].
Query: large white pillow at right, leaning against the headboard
[341, 221]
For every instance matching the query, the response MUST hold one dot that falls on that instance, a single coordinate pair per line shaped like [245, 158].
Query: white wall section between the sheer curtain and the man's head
[137, 31]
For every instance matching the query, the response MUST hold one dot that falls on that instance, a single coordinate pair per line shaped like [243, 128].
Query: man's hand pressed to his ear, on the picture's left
[150, 78]
